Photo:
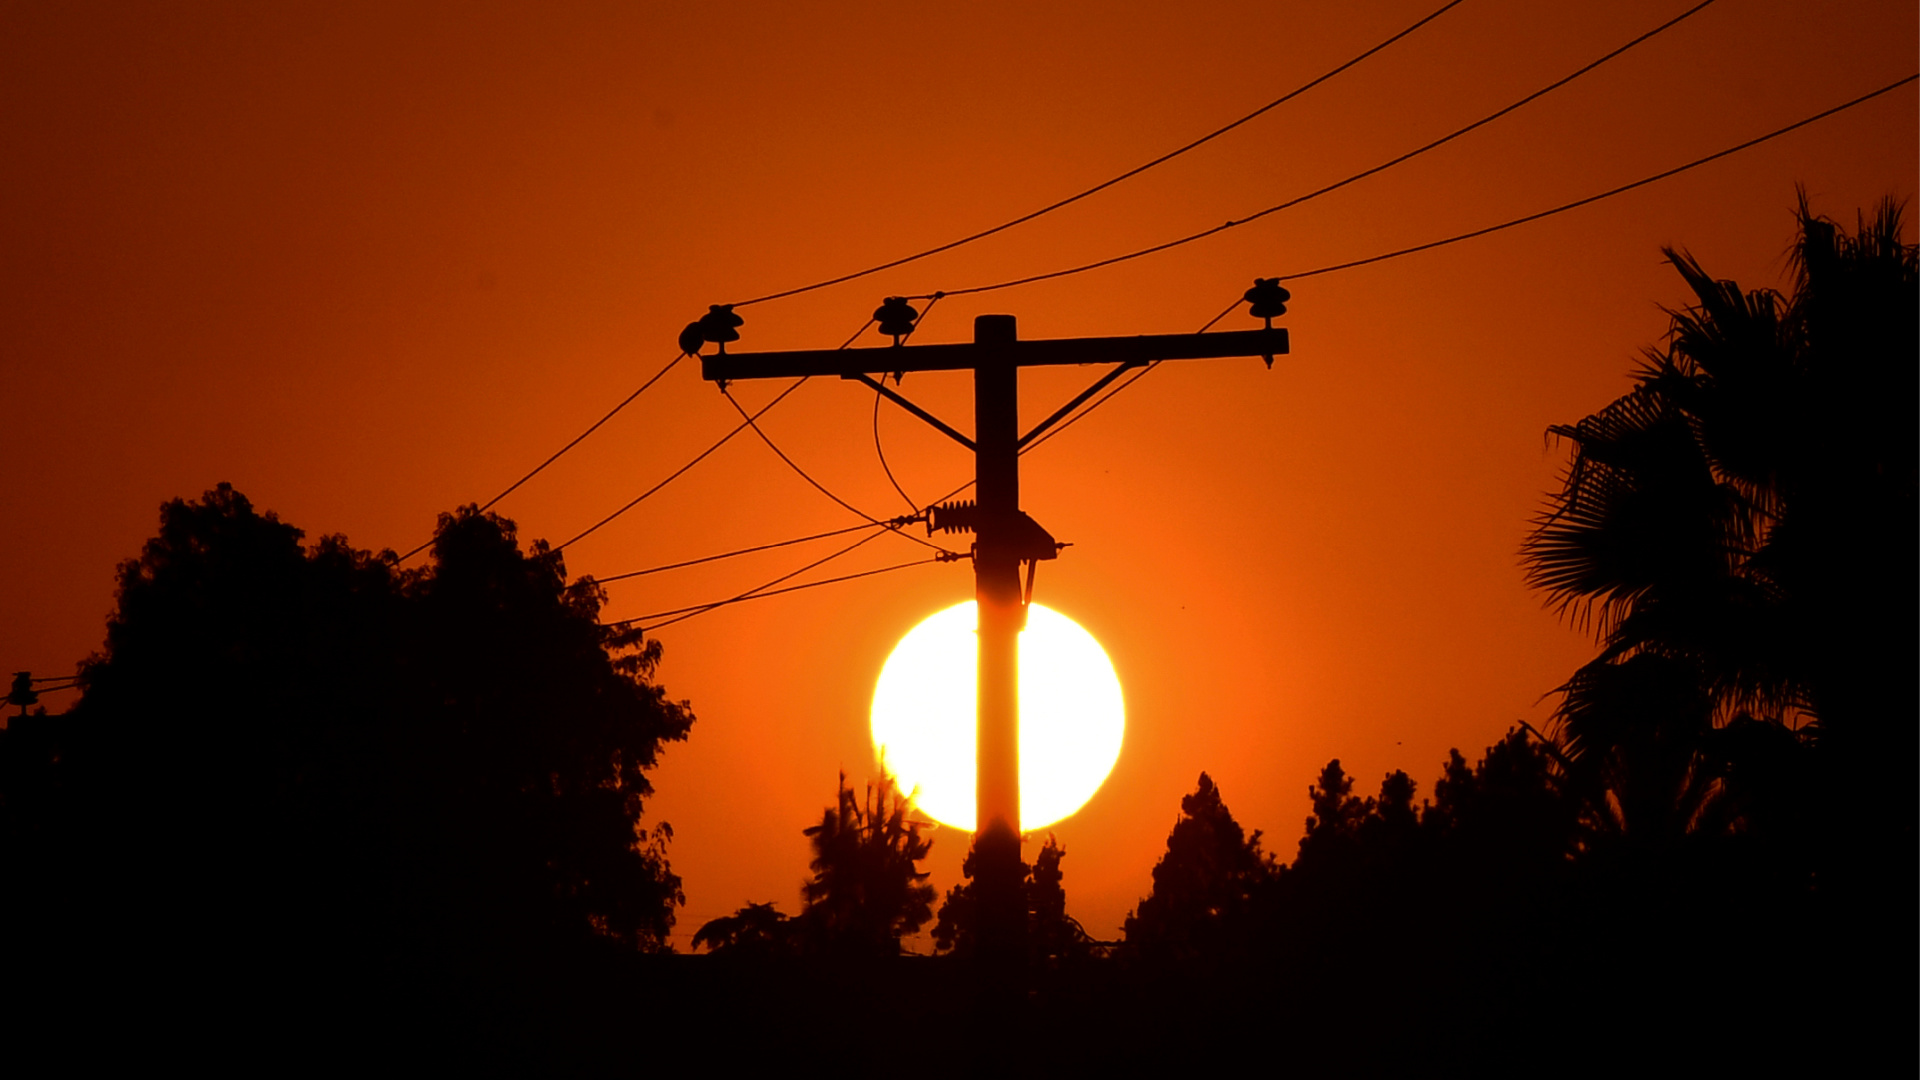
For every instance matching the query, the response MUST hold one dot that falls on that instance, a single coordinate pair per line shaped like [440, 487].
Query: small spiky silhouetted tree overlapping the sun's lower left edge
[867, 889]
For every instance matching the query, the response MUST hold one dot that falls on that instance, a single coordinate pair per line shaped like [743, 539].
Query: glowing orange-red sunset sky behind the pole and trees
[370, 262]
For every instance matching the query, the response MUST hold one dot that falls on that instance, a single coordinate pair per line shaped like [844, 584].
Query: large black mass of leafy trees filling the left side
[308, 747]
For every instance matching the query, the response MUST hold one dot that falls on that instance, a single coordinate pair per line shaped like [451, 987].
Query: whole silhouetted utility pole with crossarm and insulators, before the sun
[1005, 537]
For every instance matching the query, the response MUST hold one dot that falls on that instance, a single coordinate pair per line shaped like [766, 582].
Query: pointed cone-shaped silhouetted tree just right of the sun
[1203, 887]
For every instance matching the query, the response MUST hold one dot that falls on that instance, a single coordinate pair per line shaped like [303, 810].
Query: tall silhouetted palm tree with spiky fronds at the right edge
[1740, 533]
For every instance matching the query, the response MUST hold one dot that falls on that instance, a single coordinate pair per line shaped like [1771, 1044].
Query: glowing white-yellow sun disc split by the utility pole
[1070, 716]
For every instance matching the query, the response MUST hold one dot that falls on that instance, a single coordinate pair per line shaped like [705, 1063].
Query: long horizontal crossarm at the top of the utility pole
[967, 356]
